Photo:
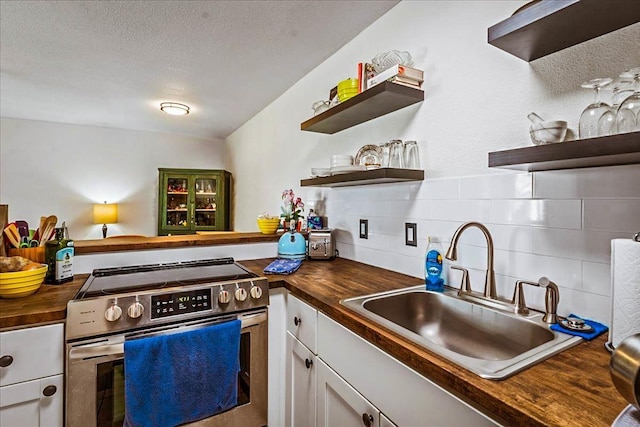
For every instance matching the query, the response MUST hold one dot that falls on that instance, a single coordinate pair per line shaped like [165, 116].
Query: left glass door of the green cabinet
[175, 207]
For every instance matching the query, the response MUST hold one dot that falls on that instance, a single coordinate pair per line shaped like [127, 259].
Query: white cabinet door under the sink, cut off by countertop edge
[339, 404]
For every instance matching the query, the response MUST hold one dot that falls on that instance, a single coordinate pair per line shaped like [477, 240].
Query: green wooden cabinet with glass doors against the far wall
[191, 200]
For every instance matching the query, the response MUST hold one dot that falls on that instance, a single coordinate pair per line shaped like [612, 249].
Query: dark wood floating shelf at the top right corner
[548, 26]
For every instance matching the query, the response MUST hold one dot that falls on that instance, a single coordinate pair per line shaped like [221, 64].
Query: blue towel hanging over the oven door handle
[181, 377]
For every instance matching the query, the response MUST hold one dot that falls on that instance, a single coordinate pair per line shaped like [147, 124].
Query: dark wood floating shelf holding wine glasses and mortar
[621, 149]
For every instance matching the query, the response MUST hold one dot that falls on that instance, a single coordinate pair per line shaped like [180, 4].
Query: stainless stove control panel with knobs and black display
[122, 312]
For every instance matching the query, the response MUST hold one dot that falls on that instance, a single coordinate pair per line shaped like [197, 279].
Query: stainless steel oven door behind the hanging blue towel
[95, 377]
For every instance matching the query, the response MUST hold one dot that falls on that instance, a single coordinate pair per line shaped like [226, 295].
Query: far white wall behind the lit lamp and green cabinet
[59, 169]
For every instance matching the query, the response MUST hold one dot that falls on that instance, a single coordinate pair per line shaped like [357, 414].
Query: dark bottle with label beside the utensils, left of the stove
[58, 254]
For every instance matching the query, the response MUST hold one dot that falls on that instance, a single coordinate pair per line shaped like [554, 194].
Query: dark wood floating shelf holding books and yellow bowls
[375, 102]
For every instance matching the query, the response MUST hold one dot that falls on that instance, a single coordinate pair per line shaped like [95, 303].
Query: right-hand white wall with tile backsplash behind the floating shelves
[477, 98]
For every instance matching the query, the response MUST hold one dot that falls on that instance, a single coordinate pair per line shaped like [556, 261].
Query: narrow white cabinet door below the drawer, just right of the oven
[300, 408]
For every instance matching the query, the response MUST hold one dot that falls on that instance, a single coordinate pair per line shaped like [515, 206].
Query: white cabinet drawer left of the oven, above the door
[35, 353]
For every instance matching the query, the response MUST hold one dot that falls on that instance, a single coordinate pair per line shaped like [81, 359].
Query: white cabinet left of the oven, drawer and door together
[31, 377]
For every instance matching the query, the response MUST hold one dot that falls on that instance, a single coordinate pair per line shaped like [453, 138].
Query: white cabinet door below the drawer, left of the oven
[37, 403]
